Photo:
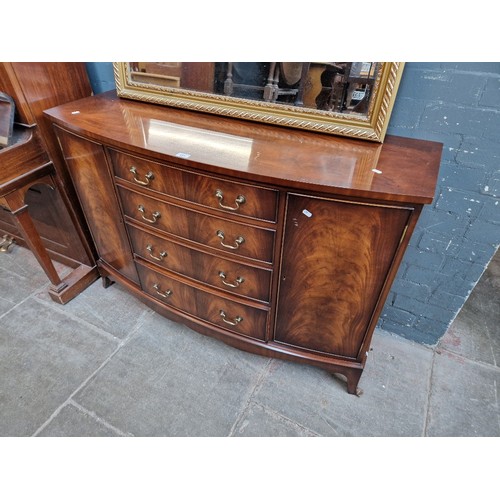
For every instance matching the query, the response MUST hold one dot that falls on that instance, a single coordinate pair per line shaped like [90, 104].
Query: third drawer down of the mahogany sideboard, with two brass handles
[221, 273]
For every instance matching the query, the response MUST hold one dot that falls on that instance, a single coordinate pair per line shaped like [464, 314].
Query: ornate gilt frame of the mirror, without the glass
[370, 125]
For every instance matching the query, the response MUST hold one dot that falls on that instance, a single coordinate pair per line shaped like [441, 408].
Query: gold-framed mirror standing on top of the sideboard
[352, 99]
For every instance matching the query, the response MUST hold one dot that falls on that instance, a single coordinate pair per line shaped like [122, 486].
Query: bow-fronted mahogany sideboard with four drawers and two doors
[280, 242]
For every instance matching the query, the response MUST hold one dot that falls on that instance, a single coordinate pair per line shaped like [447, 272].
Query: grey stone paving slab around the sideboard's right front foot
[393, 403]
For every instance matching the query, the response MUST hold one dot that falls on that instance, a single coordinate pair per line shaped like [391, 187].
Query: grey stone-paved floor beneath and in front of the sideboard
[106, 365]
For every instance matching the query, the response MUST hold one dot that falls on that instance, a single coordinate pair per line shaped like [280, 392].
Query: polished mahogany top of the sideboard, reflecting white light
[400, 170]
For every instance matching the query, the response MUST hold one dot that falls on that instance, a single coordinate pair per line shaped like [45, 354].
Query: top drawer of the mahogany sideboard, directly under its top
[208, 191]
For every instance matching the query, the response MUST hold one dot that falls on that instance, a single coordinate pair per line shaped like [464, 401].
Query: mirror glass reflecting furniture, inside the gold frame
[340, 87]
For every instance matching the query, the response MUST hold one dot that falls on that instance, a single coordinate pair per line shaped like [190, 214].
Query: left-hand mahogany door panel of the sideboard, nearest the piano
[88, 168]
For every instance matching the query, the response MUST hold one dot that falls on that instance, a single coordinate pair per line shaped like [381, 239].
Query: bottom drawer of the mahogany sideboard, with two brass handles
[221, 312]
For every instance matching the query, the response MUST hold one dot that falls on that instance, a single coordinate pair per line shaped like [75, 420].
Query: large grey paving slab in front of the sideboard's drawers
[170, 381]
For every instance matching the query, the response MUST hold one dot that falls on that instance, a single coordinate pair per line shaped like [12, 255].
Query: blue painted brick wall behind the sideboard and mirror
[457, 104]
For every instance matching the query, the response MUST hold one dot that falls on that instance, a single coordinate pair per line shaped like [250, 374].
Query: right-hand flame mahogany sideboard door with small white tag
[336, 258]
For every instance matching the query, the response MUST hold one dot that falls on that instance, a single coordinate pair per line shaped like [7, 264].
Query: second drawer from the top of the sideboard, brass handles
[220, 234]
